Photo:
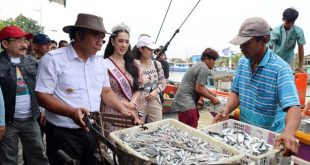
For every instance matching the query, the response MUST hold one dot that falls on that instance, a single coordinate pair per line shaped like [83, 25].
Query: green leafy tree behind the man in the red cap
[27, 24]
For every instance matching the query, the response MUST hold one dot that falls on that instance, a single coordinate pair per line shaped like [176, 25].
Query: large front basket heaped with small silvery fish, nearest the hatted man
[171, 142]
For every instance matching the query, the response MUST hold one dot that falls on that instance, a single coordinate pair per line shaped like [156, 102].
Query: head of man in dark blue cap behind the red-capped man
[41, 45]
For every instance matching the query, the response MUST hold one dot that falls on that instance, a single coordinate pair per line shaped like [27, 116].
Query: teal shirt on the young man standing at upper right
[284, 42]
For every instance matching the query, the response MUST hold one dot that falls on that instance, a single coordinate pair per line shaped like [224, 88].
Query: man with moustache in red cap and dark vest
[17, 80]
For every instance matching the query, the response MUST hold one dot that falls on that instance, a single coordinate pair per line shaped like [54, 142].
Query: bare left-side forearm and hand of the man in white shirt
[54, 105]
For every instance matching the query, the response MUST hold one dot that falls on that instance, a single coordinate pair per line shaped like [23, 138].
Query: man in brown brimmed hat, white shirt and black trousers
[71, 81]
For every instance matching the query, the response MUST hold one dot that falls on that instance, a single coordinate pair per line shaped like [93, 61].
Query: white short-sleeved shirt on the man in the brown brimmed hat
[72, 81]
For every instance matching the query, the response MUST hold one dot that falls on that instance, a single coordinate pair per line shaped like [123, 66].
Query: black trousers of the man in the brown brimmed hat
[77, 143]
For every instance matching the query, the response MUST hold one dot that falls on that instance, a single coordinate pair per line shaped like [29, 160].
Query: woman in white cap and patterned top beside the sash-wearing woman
[153, 78]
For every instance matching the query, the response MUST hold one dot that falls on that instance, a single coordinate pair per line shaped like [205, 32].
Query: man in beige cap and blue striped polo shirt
[264, 86]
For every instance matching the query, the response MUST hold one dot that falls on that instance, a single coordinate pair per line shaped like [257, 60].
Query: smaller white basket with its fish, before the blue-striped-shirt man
[255, 142]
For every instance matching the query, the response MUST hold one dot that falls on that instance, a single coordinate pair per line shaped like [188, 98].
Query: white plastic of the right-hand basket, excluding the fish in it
[269, 137]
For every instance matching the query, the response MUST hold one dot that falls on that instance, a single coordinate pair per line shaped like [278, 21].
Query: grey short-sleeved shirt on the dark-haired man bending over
[186, 94]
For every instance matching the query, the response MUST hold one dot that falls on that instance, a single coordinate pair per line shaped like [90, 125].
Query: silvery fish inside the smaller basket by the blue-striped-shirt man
[242, 141]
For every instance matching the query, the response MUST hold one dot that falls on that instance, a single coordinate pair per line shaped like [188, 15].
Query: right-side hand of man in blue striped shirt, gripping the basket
[291, 144]
